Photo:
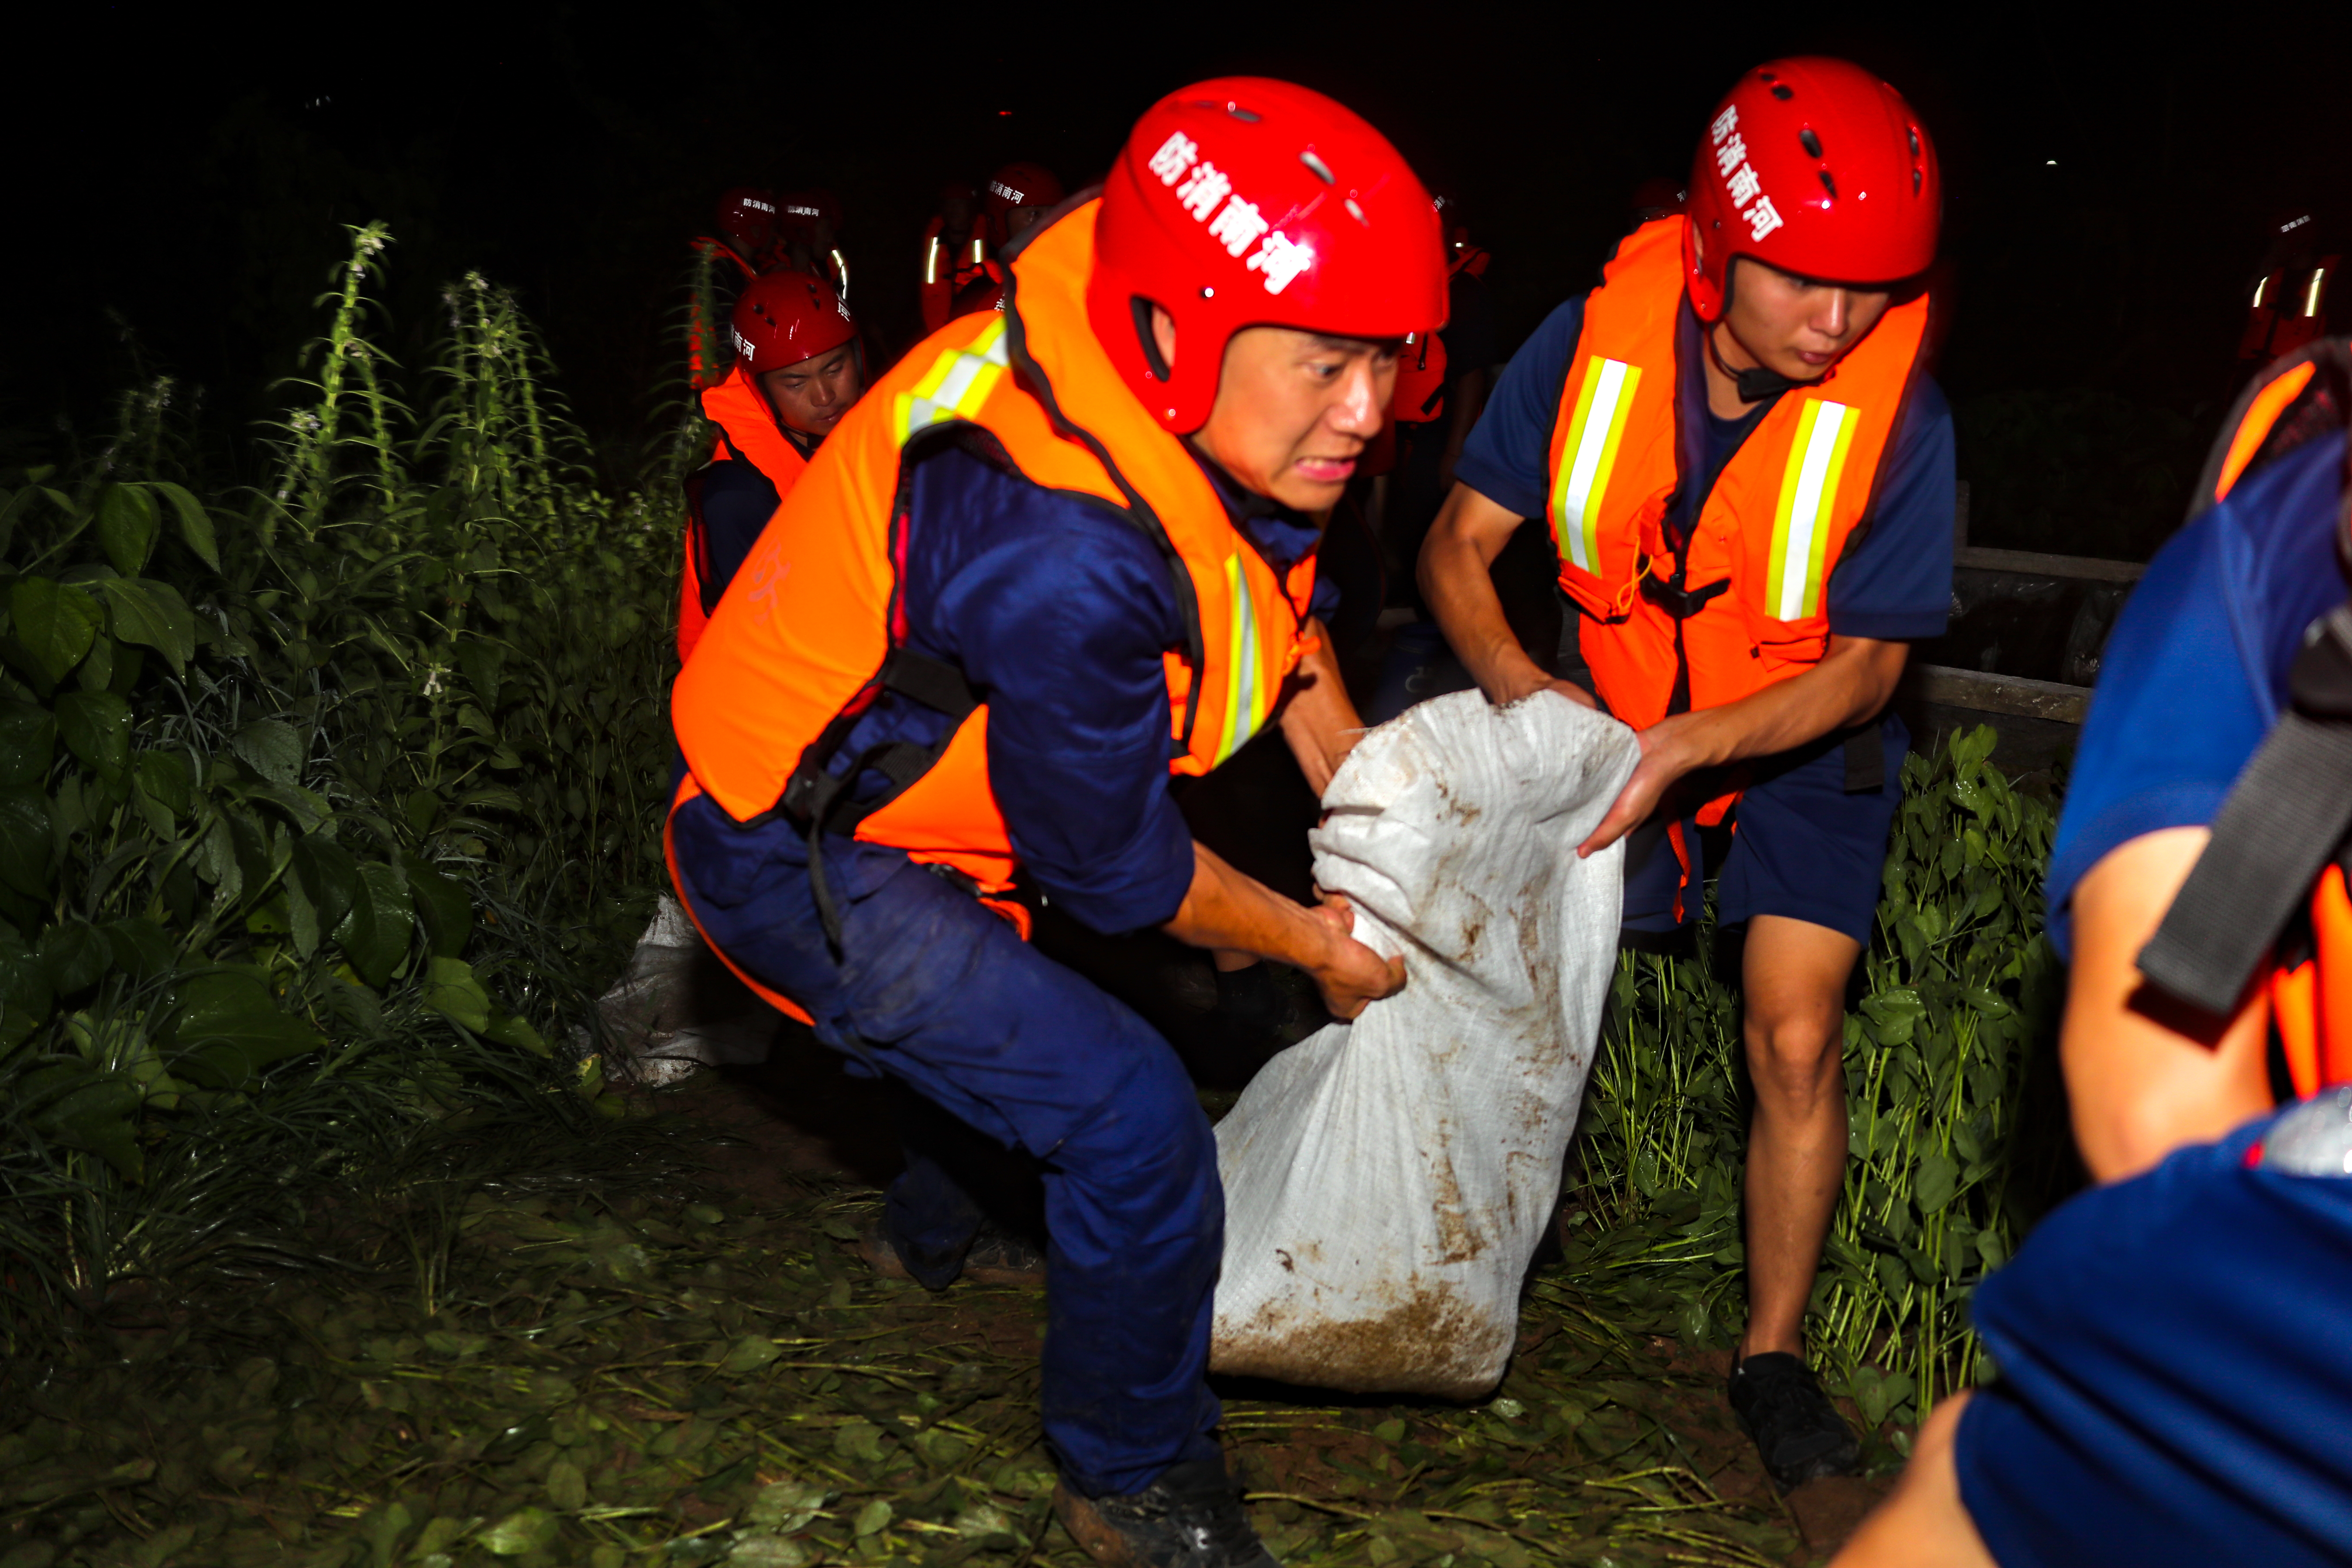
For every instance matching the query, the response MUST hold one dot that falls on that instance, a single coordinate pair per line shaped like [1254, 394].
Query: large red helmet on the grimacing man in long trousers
[1252, 203]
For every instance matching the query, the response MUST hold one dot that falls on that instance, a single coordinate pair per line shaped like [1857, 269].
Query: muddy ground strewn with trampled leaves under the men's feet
[700, 1369]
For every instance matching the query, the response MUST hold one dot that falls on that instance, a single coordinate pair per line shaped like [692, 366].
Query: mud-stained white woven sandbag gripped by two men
[1387, 1181]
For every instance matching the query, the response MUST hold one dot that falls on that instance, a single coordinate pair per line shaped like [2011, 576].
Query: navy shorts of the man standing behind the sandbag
[1800, 847]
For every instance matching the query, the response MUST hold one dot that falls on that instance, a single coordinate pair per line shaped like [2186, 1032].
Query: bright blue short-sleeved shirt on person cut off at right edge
[2196, 671]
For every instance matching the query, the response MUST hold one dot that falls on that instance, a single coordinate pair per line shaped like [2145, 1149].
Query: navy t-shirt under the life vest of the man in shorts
[1895, 579]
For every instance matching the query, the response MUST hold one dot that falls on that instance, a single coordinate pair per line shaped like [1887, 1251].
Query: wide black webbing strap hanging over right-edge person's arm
[2280, 826]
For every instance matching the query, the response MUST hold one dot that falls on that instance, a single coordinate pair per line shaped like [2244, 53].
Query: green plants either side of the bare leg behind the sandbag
[1958, 993]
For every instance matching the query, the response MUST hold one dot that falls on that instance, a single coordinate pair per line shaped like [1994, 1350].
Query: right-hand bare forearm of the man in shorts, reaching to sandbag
[1850, 685]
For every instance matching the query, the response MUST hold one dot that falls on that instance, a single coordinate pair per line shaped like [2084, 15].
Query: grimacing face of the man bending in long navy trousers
[1295, 410]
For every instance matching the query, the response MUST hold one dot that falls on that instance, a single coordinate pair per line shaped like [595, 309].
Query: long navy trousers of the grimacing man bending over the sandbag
[947, 998]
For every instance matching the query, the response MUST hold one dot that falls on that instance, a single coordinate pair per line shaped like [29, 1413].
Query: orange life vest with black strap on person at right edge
[2269, 894]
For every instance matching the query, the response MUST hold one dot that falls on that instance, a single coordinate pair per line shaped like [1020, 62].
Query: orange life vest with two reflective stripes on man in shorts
[1744, 603]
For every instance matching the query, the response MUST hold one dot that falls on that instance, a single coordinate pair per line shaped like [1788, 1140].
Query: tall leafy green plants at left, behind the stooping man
[316, 805]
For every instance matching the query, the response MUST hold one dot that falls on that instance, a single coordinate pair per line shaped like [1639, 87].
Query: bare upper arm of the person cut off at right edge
[2144, 1073]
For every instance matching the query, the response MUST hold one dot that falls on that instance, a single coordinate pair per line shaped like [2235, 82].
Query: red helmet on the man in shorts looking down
[1817, 168]
